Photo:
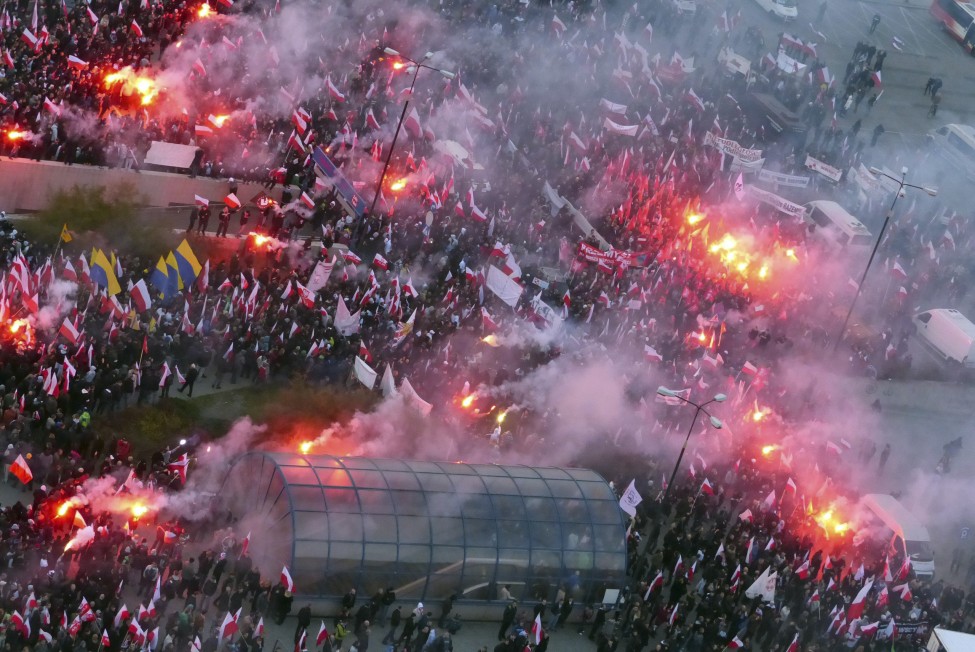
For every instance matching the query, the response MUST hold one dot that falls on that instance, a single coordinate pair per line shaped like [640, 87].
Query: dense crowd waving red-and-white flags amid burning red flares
[411, 287]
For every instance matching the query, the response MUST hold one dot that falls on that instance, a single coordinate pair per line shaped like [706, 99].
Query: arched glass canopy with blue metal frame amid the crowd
[427, 529]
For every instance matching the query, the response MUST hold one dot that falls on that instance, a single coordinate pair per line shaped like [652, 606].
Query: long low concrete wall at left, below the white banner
[25, 186]
